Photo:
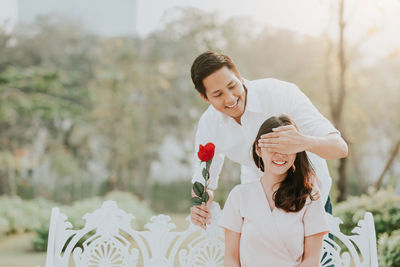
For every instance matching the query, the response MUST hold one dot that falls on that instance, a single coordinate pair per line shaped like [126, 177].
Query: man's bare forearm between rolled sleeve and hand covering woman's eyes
[331, 146]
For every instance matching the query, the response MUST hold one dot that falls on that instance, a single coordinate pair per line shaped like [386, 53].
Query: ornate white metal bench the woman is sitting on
[112, 242]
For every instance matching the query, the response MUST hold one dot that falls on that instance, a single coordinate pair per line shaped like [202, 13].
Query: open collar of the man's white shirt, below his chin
[252, 102]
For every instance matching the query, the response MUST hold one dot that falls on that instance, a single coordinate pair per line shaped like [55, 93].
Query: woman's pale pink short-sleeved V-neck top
[270, 238]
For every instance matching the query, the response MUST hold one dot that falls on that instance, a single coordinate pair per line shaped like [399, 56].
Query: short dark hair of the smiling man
[206, 64]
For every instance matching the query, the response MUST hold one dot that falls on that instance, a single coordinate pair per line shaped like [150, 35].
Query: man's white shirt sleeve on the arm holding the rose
[204, 136]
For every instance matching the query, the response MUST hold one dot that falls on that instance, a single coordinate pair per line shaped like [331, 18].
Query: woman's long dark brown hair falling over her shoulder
[293, 191]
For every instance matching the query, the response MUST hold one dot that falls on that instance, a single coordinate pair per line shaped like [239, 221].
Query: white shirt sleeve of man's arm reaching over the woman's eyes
[307, 117]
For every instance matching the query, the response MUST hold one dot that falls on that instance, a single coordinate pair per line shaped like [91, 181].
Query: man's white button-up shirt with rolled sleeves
[265, 98]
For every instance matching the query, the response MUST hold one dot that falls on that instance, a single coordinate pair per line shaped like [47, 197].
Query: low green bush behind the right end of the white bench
[383, 204]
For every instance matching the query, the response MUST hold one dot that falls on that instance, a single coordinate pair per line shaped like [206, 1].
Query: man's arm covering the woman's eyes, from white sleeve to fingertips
[315, 133]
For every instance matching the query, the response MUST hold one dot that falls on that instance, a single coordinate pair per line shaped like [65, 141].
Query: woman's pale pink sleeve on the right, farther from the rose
[314, 219]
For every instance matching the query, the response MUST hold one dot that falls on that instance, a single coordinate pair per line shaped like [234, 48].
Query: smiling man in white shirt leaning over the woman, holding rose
[237, 109]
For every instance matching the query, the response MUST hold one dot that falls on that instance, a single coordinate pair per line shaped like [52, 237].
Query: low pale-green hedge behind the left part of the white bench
[17, 215]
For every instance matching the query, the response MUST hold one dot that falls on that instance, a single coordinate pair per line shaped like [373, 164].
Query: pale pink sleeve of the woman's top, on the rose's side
[231, 217]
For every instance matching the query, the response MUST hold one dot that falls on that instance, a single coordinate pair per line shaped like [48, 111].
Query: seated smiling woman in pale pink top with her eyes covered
[278, 221]
